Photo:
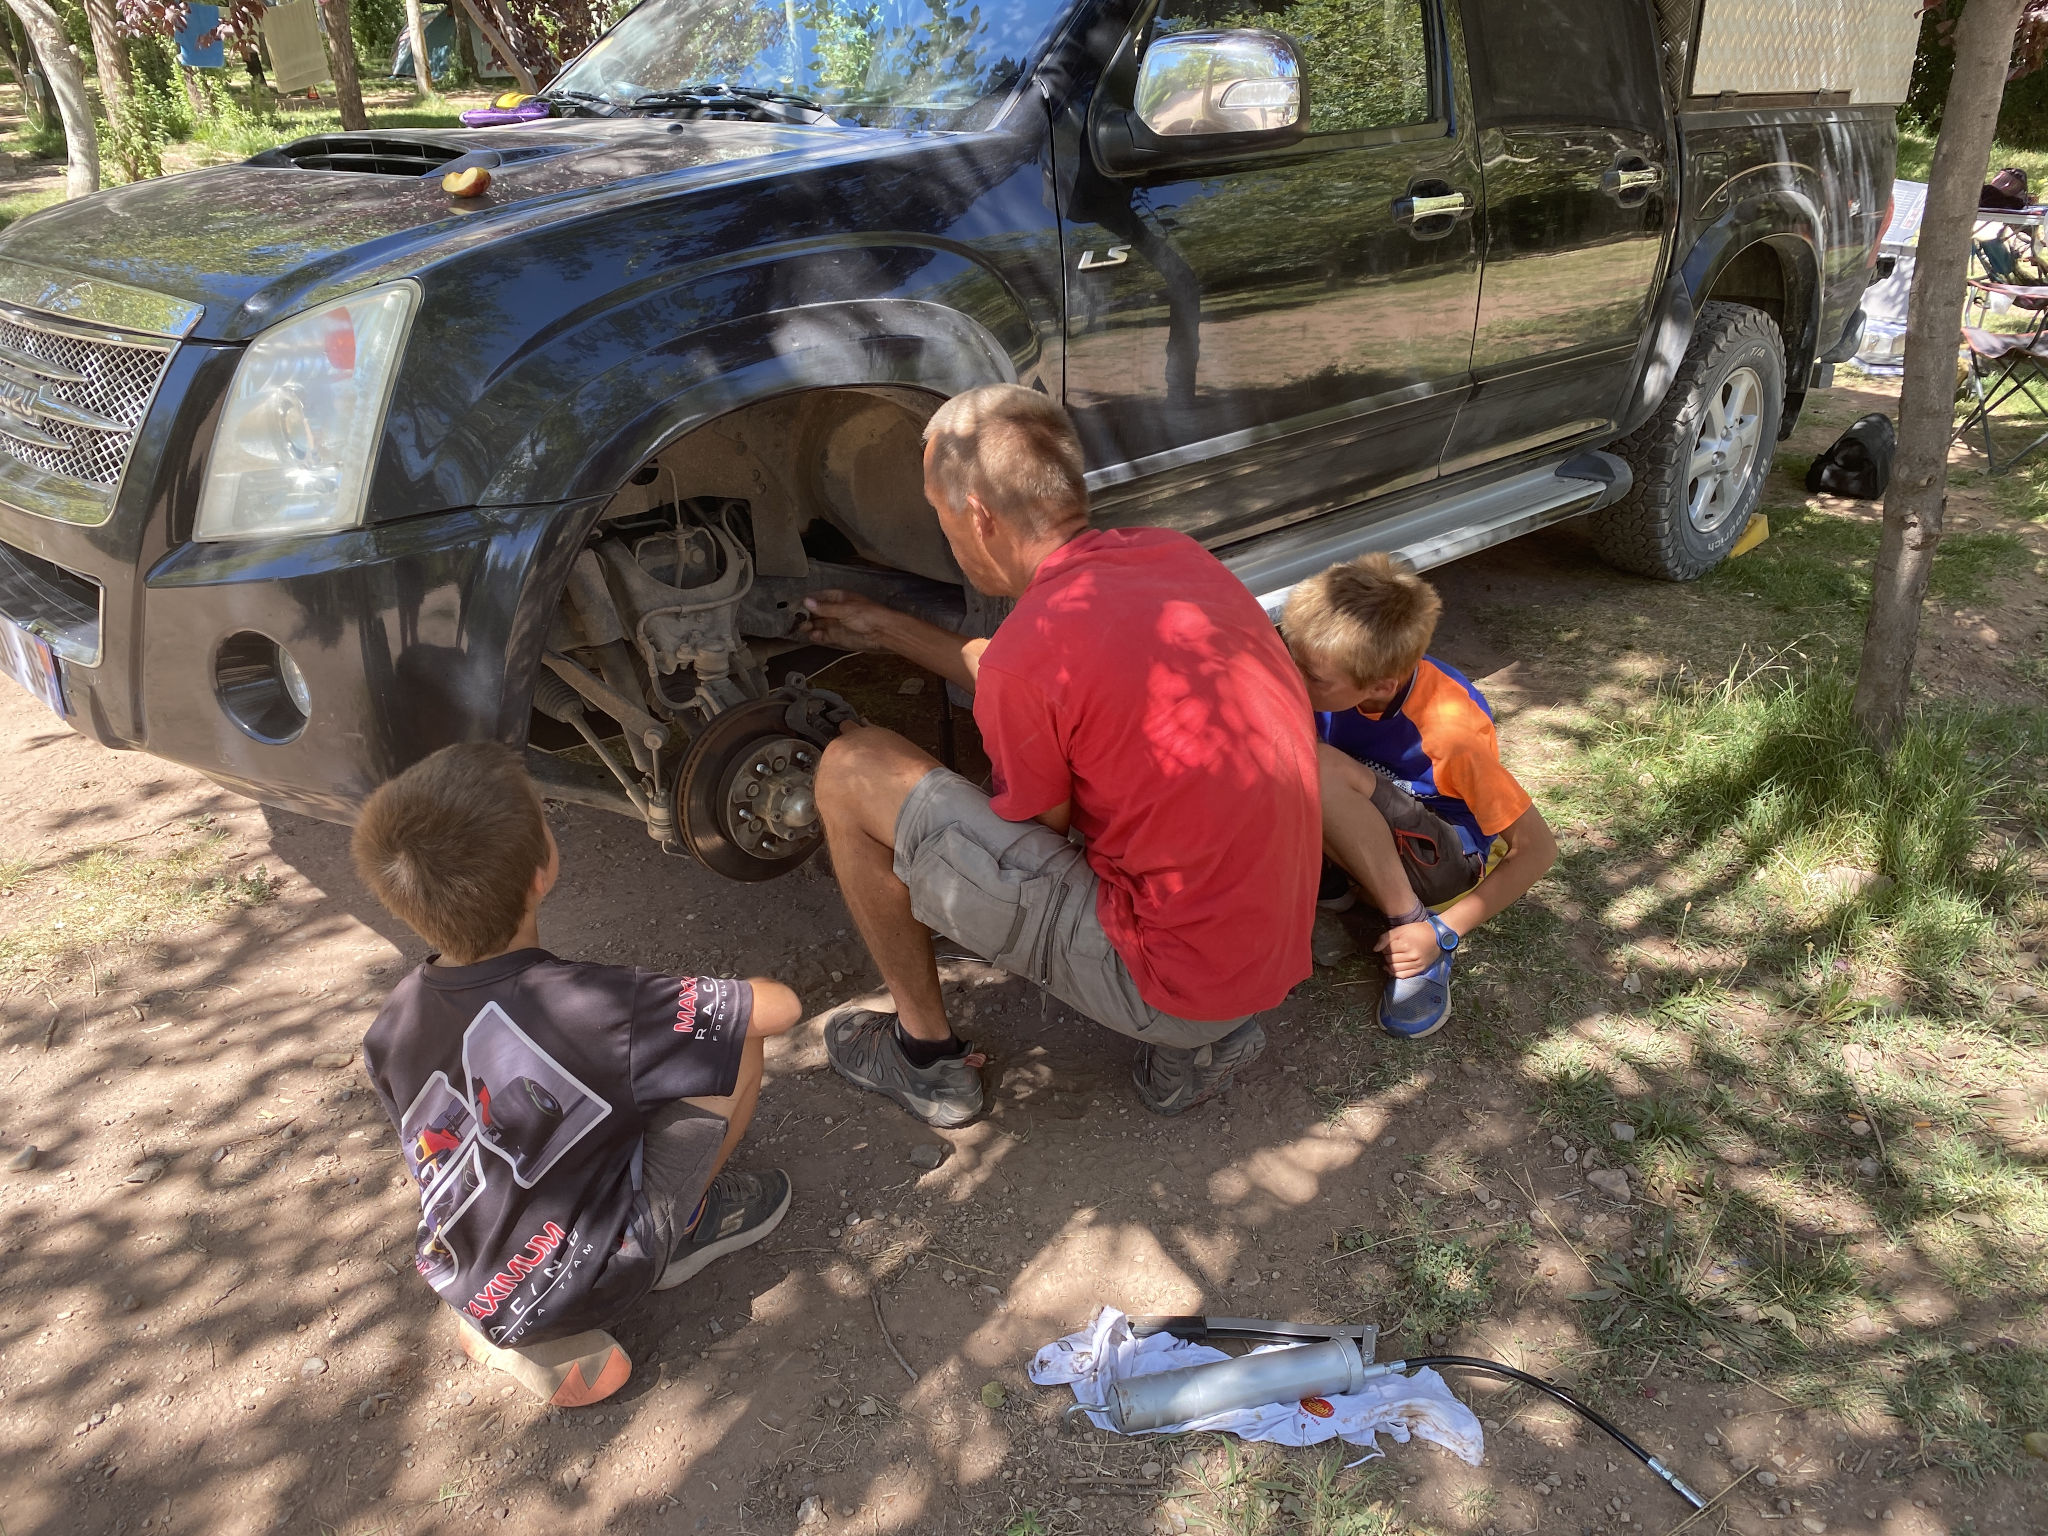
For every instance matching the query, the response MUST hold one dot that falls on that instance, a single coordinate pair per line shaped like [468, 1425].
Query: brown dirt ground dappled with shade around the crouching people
[210, 1324]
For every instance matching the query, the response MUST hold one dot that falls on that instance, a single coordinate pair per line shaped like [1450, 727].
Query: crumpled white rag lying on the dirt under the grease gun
[1105, 1353]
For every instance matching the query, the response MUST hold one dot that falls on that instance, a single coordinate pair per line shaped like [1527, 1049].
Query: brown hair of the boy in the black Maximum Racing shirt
[452, 847]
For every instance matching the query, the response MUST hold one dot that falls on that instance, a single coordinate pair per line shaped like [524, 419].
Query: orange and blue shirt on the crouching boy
[1437, 742]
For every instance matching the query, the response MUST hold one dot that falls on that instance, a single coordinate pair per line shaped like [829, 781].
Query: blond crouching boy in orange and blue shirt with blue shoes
[1418, 810]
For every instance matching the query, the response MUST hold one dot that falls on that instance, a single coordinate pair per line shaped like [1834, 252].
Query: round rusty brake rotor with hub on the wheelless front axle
[744, 800]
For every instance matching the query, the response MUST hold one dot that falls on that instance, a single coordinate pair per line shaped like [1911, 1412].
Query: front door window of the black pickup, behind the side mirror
[1367, 60]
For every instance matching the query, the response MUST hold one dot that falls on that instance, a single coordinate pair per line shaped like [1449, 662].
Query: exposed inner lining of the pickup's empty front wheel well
[849, 458]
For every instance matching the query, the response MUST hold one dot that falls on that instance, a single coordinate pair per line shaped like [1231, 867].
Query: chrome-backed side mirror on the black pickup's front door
[1203, 95]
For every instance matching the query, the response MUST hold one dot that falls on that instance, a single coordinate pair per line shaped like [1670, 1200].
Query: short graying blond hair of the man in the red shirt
[1015, 452]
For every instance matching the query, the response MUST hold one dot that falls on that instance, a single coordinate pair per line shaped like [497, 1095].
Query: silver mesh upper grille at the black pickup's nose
[71, 404]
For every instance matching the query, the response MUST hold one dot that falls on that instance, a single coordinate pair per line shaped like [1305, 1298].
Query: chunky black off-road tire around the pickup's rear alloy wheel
[1641, 534]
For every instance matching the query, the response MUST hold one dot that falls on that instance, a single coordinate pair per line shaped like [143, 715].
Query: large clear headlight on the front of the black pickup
[304, 417]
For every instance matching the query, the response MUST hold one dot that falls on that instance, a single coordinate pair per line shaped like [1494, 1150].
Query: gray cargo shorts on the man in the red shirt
[1023, 898]
